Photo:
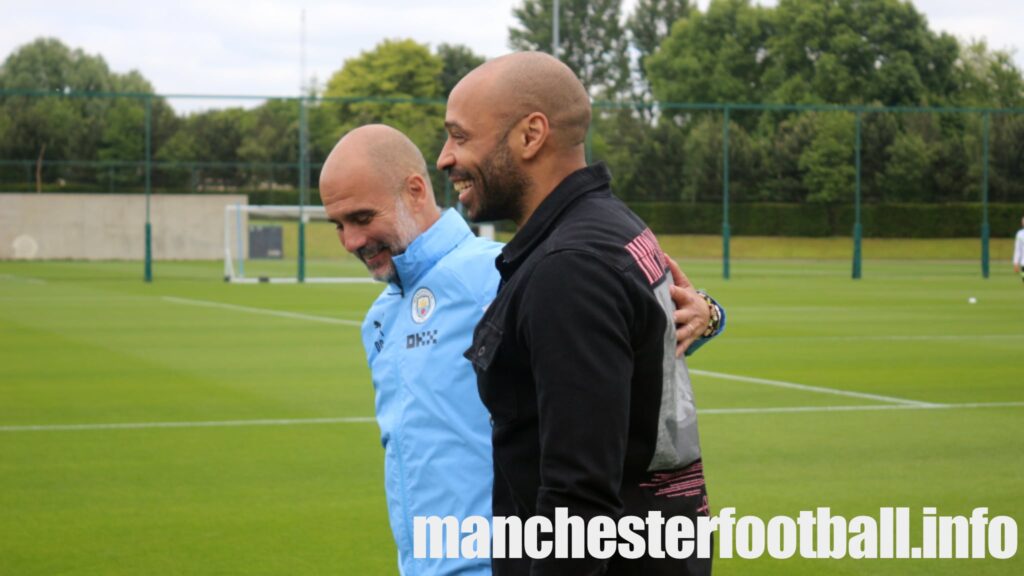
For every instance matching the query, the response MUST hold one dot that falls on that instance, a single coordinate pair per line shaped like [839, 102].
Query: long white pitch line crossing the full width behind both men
[367, 420]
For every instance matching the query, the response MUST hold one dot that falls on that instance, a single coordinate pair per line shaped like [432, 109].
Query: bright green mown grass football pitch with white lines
[192, 427]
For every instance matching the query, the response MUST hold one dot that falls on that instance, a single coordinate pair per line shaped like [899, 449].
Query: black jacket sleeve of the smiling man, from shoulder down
[576, 319]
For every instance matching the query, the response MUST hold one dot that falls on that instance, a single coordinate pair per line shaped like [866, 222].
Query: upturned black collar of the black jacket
[543, 220]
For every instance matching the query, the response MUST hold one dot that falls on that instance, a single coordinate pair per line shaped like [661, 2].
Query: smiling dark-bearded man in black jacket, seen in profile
[576, 360]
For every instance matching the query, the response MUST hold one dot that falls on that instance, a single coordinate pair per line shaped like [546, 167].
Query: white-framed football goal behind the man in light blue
[285, 244]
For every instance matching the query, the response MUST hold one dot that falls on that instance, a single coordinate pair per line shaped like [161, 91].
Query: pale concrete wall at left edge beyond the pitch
[112, 227]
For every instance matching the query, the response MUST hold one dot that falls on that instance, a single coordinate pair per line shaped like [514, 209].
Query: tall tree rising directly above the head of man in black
[592, 42]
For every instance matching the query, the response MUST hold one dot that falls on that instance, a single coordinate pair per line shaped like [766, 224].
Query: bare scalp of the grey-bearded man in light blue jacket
[381, 149]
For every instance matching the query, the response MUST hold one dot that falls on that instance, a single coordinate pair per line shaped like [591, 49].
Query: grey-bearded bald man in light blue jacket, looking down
[440, 279]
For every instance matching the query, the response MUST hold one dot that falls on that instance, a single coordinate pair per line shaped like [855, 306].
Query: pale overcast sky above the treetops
[221, 48]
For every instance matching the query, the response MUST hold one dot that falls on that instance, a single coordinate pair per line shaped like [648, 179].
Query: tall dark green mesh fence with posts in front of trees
[708, 169]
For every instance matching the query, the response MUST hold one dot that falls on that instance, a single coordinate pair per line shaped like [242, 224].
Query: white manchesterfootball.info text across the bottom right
[816, 534]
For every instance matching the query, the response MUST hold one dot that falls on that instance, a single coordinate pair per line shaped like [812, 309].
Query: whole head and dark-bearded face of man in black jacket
[518, 127]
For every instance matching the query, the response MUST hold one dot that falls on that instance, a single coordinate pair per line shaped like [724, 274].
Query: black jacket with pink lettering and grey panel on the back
[576, 363]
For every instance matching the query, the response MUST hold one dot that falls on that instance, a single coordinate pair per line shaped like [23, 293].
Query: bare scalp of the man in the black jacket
[526, 83]
